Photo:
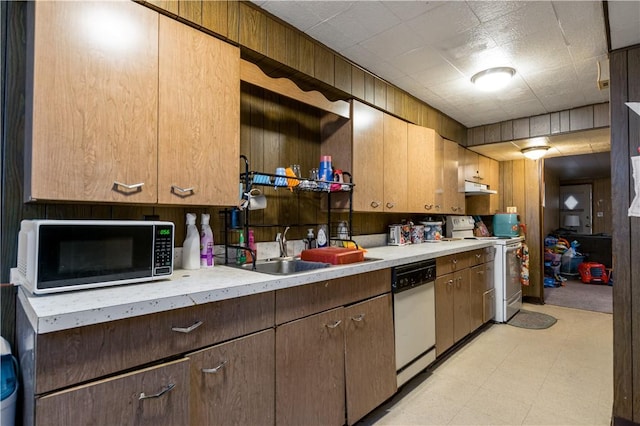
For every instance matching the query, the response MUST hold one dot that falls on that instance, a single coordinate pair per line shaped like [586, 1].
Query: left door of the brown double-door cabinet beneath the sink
[310, 387]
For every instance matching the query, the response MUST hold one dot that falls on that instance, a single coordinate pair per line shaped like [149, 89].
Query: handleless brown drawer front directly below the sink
[301, 301]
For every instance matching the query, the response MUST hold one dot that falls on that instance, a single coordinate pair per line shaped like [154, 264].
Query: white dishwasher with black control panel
[414, 317]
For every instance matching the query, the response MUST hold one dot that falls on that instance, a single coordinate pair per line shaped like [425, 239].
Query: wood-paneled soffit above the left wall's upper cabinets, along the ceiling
[282, 50]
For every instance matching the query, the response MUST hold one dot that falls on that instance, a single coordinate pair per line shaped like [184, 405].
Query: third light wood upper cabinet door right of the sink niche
[421, 169]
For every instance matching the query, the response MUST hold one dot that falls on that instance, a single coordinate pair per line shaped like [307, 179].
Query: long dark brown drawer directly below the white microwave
[85, 353]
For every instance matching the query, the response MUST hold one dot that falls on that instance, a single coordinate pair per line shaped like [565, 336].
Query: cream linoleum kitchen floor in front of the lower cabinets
[512, 376]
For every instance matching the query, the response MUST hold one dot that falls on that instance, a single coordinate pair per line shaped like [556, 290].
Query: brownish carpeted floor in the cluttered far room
[576, 294]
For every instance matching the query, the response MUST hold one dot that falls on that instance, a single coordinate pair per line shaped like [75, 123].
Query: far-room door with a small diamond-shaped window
[576, 208]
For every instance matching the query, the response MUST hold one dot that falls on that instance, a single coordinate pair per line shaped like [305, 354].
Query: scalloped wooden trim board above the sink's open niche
[252, 74]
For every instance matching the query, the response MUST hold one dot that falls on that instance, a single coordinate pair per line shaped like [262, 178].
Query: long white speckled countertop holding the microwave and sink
[61, 311]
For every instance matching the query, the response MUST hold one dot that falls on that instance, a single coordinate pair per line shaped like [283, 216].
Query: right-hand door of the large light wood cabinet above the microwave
[199, 117]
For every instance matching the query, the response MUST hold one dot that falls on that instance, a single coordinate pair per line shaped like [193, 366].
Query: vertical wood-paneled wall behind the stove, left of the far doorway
[520, 186]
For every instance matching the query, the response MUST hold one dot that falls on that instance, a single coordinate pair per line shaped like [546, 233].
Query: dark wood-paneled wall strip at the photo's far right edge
[625, 139]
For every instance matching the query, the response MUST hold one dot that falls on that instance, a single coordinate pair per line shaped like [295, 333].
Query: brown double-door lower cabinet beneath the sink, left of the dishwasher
[344, 354]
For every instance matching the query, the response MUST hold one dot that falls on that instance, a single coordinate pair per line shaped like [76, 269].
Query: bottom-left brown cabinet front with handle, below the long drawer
[156, 395]
